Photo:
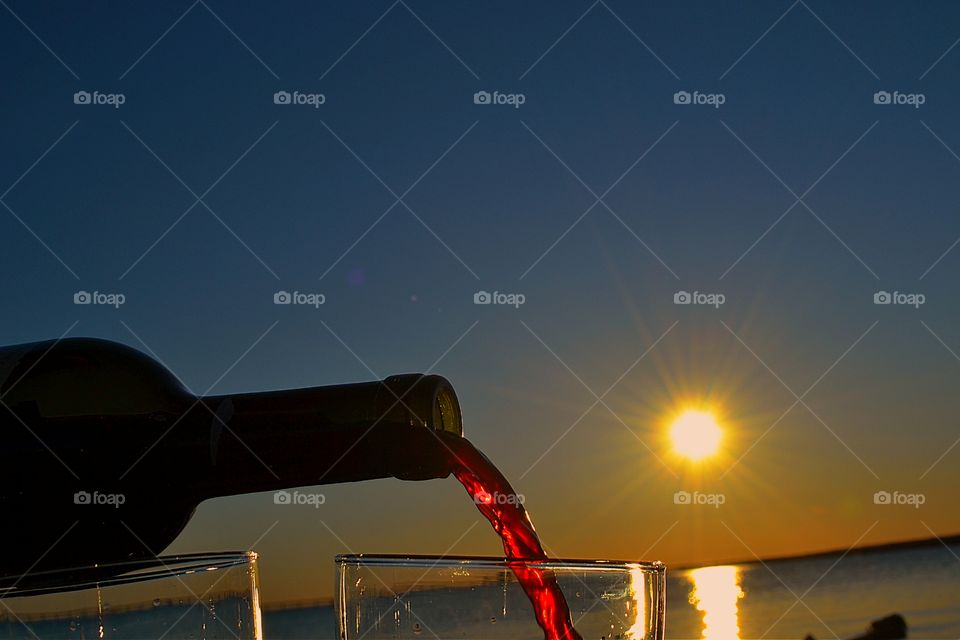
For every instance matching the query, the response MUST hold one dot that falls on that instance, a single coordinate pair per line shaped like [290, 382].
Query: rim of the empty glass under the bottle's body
[120, 573]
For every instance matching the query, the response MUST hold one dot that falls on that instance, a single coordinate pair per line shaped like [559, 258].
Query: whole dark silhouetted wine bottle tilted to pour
[104, 456]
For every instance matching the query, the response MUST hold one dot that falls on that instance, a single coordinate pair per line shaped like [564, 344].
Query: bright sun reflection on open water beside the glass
[716, 592]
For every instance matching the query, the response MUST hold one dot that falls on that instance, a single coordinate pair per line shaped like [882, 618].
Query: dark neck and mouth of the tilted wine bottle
[325, 435]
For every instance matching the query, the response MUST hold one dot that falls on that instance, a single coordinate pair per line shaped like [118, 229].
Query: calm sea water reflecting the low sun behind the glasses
[826, 596]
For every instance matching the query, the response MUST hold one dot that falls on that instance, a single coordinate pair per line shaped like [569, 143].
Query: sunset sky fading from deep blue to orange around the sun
[783, 164]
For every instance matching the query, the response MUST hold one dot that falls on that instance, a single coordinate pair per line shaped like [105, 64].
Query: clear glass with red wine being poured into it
[423, 597]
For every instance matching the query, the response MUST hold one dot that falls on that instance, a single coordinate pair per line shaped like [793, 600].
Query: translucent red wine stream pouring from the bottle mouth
[498, 502]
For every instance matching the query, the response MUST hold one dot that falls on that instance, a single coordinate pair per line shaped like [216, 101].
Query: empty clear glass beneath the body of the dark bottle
[211, 596]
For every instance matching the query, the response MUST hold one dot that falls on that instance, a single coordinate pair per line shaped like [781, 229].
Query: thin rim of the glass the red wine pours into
[496, 562]
